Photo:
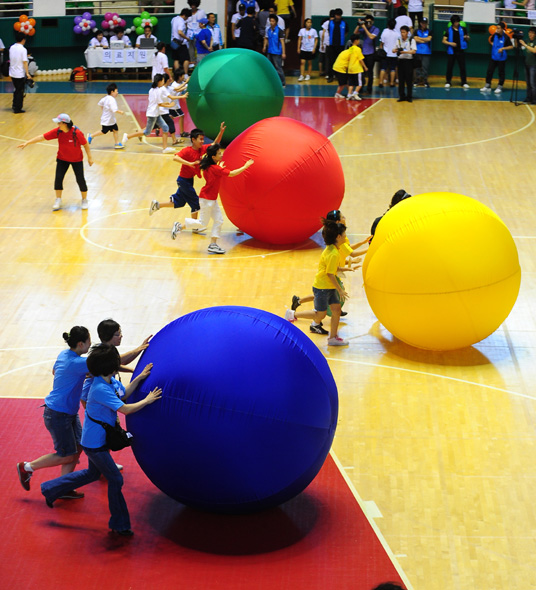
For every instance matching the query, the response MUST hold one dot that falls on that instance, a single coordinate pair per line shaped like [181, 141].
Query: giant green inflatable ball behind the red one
[238, 86]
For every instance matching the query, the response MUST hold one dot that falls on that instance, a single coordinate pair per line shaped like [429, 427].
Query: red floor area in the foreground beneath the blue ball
[320, 540]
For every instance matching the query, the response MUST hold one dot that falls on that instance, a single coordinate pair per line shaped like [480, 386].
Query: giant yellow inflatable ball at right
[442, 271]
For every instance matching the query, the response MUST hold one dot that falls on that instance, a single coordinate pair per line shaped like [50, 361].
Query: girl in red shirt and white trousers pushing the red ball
[213, 171]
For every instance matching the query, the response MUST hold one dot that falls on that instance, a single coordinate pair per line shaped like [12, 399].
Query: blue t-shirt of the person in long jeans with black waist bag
[102, 404]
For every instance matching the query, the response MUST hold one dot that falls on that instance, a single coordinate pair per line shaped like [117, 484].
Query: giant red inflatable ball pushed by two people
[297, 178]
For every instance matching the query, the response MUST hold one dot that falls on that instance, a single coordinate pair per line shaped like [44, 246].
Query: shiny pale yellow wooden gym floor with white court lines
[440, 446]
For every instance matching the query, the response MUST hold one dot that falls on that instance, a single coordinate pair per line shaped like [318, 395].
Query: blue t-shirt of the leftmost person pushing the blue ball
[69, 373]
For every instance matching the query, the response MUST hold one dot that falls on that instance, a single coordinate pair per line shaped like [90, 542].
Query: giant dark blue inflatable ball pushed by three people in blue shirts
[247, 415]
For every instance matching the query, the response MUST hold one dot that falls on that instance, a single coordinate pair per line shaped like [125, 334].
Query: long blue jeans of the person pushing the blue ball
[100, 461]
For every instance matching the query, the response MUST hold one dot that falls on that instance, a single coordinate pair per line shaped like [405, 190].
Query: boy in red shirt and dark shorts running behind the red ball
[189, 158]
